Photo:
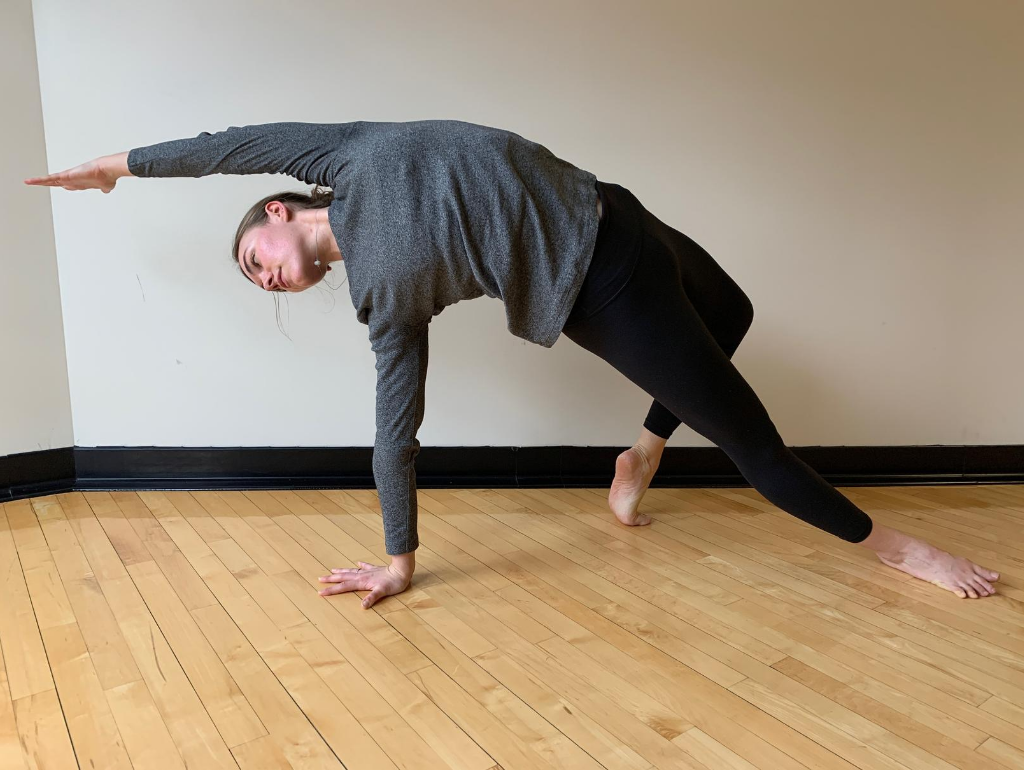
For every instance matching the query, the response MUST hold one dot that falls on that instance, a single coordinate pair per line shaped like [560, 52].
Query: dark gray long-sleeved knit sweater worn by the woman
[426, 213]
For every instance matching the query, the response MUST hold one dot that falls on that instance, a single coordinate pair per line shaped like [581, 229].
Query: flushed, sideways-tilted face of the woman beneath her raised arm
[279, 256]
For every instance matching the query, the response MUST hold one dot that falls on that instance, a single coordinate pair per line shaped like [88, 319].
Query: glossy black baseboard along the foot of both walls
[93, 468]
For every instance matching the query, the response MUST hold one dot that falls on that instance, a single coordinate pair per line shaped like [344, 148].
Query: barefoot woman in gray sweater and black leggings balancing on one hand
[426, 213]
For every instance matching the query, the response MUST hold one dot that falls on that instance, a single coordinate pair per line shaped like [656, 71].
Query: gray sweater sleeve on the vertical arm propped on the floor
[402, 376]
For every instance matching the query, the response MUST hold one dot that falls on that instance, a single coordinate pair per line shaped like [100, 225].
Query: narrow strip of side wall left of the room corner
[35, 407]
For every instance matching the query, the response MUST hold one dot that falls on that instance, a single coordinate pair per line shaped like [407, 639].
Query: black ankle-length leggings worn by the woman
[660, 310]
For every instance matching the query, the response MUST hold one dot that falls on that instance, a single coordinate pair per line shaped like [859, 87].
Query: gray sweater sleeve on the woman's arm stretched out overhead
[314, 153]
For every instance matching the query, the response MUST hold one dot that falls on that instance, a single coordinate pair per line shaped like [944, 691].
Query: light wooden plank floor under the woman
[174, 630]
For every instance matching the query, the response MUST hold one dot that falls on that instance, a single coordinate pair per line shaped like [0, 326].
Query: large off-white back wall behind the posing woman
[857, 167]
